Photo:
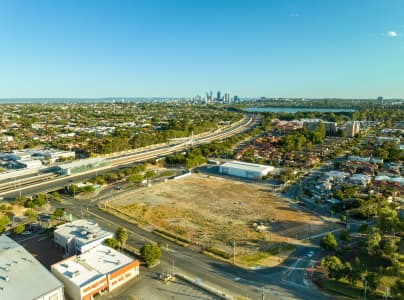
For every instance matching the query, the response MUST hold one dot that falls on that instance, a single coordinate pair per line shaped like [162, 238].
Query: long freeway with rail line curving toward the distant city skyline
[126, 159]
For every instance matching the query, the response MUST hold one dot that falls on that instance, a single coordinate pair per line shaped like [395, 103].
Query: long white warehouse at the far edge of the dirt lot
[247, 170]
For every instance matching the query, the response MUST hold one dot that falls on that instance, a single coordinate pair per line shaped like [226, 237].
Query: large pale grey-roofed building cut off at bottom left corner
[22, 277]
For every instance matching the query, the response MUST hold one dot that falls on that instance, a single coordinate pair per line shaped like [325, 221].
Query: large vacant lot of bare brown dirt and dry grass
[214, 211]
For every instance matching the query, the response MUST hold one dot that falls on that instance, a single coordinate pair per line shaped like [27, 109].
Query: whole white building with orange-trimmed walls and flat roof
[98, 271]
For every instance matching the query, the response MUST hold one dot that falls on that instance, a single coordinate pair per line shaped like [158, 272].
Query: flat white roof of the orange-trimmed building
[91, 265]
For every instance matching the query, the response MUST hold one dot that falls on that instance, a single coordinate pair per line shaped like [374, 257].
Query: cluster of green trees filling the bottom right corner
[378, 255]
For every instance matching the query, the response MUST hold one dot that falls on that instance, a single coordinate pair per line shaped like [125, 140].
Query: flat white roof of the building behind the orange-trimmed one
[82, 230]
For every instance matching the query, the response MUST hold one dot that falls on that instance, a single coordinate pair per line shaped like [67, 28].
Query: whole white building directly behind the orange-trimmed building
[79, 236]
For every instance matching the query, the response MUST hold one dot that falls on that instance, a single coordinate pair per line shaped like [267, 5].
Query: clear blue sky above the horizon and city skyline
[273, 48]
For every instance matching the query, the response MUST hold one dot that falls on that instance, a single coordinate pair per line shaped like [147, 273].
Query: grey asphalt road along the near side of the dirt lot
[282, 282]
